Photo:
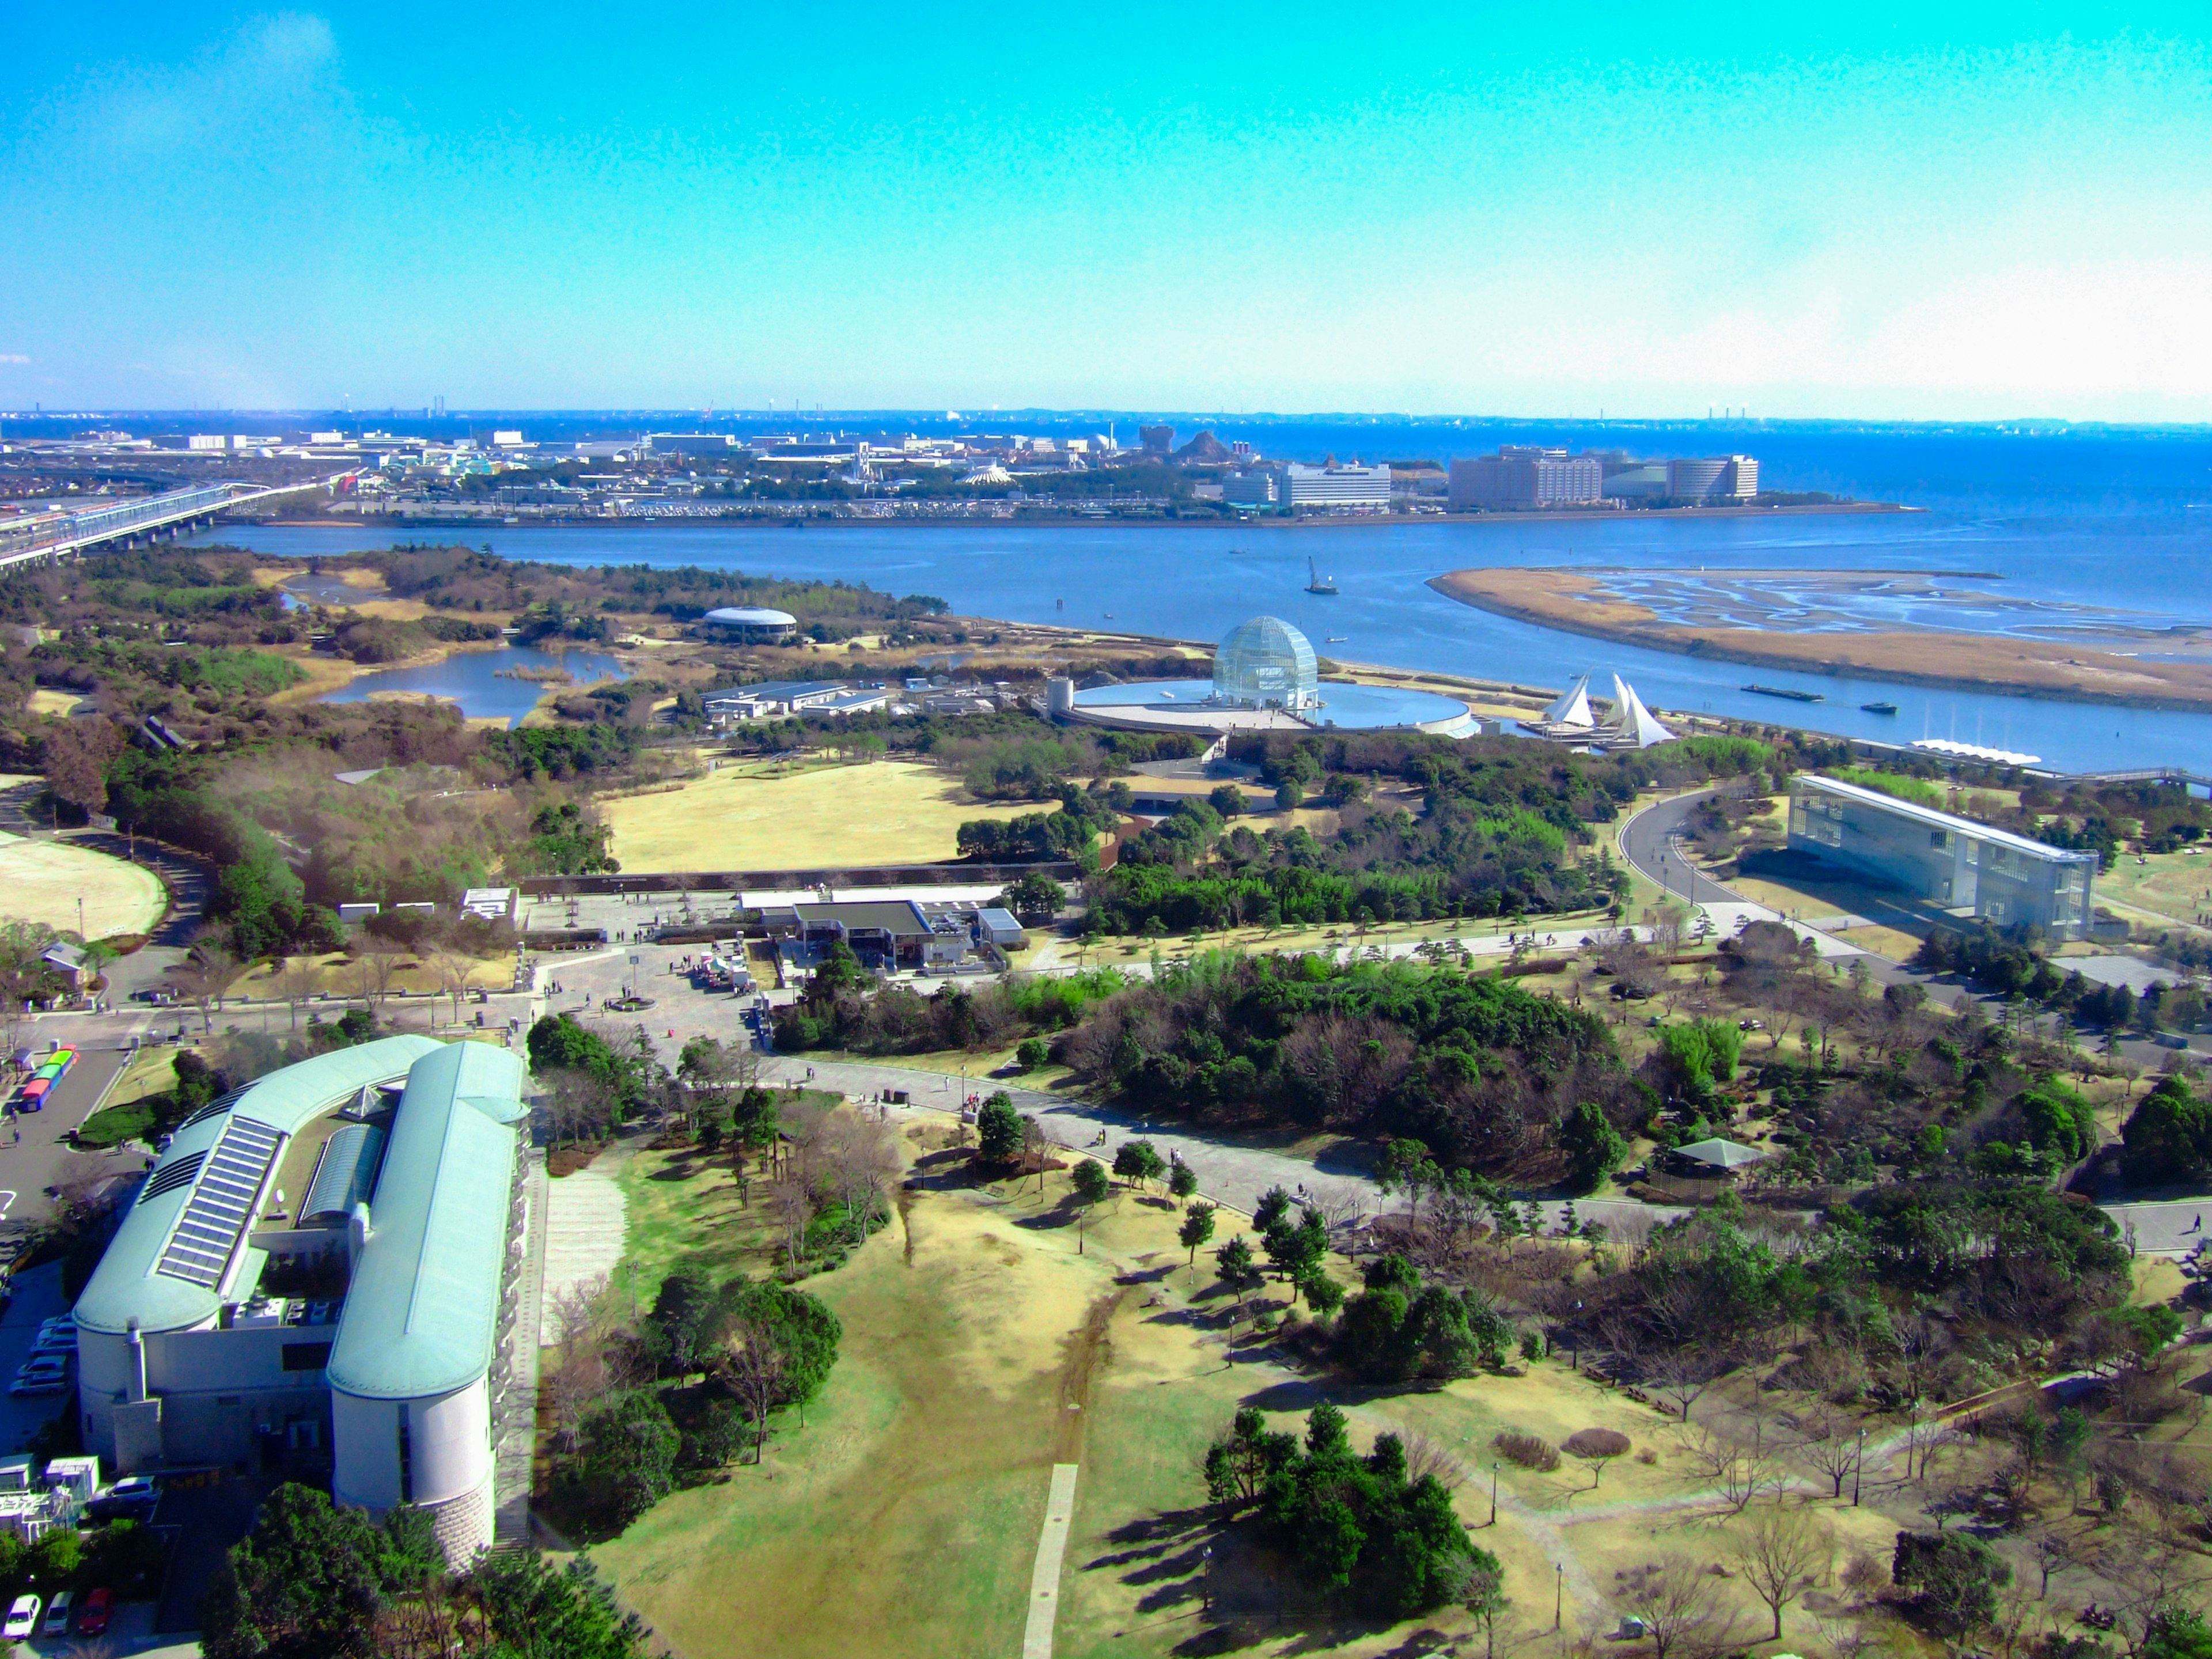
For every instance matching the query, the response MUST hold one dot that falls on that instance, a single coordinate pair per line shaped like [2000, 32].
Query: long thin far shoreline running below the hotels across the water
[1070, 521]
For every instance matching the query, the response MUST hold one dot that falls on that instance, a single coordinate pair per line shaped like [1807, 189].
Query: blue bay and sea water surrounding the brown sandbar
[2111, 521]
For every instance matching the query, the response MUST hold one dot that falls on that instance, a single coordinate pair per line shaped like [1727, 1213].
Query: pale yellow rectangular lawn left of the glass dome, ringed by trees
[881, 813]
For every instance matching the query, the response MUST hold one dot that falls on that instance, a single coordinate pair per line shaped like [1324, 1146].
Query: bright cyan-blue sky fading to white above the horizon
[1806, 211]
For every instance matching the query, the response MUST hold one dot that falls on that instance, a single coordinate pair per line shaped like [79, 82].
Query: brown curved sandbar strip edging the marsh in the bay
[1580, 603]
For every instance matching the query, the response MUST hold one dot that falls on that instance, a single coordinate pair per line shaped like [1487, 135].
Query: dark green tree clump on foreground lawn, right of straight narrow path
[1375, 1530]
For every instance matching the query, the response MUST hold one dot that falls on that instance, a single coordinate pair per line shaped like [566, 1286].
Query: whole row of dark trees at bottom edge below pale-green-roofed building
[322, 1583]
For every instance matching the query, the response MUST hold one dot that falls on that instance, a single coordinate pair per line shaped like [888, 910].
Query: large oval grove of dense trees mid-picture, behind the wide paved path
[1479, 1070]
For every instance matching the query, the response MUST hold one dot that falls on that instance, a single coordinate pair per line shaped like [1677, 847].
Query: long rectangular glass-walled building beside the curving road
[1963, 866]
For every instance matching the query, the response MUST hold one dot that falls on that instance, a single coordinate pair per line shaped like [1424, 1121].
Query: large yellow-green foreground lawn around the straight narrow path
[981, 1350]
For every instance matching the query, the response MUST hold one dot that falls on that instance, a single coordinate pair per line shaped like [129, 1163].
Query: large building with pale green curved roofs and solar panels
[355, 1333]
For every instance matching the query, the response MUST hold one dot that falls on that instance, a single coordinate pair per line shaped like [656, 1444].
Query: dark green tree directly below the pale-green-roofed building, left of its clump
[309, 1580]
